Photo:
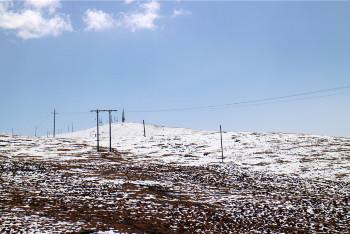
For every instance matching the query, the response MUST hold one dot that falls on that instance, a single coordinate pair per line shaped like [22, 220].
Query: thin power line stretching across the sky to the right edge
[306, 95]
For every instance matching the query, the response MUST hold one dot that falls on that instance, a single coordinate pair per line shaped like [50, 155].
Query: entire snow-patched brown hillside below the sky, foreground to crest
[172, 181]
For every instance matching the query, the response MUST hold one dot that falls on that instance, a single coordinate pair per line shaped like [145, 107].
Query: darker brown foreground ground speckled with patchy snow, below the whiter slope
[82, 191]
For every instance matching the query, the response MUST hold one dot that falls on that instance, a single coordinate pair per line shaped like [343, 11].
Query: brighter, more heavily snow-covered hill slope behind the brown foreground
[305, 155]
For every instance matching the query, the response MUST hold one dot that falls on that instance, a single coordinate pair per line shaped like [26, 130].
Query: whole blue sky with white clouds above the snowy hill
[141, 55]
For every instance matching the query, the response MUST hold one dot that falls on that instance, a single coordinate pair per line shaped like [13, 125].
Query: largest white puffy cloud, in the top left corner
[31, 21]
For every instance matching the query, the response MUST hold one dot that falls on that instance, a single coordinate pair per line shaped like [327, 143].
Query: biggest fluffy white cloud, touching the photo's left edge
[31, 23]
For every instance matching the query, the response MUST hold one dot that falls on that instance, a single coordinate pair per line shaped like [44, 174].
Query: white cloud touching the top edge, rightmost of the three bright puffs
[142, 19]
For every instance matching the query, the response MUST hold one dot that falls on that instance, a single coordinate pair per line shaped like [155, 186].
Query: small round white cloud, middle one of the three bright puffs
[97, 20]
